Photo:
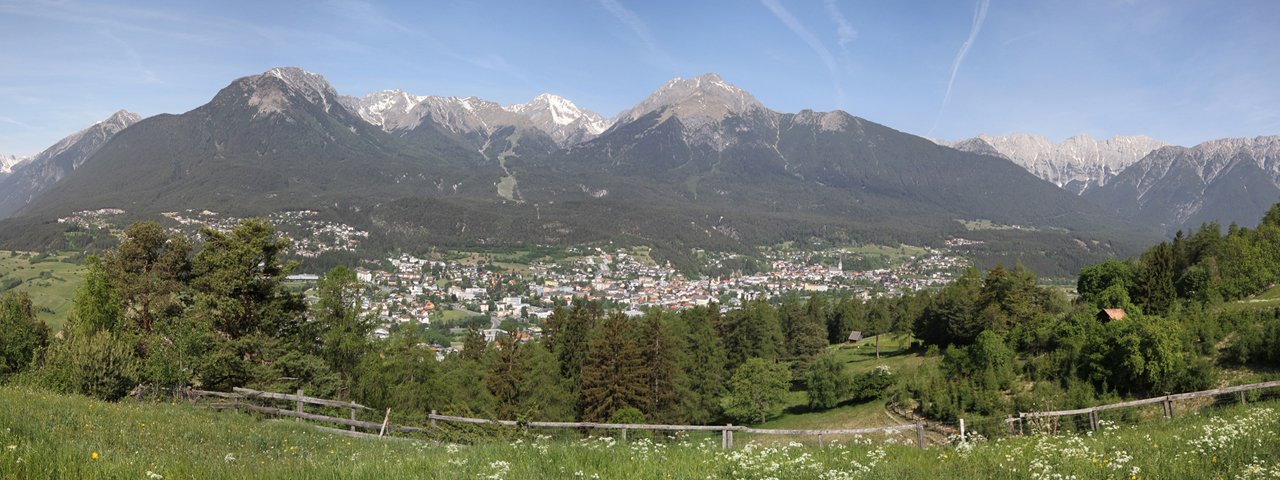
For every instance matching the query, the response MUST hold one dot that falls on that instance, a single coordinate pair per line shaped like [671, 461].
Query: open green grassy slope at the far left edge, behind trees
[49, 281]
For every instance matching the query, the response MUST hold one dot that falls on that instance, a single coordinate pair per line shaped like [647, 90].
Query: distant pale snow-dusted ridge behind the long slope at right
[1077, 164]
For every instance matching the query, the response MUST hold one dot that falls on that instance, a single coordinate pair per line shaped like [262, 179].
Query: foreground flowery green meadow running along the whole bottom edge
[45, 437]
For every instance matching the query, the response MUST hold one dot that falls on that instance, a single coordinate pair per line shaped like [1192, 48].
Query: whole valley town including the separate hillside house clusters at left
[454, 290]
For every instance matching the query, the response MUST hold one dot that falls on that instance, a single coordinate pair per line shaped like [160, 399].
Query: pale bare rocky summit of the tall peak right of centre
[697, 102]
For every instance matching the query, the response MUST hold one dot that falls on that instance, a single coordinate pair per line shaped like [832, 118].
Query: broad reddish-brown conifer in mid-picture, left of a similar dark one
[612, 372]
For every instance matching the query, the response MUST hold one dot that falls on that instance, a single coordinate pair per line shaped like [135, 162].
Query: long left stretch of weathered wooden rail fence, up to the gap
[240, 396]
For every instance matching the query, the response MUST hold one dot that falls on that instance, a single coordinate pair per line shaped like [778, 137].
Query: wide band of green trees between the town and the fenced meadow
[158, 310]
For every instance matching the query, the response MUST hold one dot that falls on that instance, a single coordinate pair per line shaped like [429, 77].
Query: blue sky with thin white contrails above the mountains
[1180, 71]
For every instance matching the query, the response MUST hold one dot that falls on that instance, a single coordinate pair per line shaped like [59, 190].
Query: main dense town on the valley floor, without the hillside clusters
[427, 291]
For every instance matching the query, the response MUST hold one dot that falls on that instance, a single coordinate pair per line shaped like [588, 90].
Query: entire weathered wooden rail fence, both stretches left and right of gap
[239, 399]
